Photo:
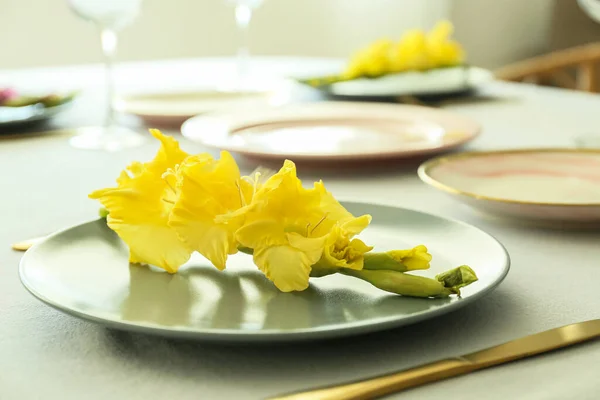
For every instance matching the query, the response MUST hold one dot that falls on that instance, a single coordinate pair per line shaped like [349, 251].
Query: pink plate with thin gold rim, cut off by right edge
[552, 185]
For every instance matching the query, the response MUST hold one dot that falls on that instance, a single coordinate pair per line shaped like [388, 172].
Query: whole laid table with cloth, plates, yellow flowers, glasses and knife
[392, 225]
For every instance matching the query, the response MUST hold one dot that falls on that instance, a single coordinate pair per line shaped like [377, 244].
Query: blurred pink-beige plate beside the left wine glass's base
[174, 108]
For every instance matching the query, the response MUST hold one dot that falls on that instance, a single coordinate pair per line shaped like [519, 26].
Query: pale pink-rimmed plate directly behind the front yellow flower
[333, 131]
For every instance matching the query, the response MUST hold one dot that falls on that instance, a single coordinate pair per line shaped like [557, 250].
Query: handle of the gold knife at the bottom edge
[383, 385]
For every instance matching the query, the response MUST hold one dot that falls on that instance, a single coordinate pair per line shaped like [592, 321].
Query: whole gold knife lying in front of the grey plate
[514, 350]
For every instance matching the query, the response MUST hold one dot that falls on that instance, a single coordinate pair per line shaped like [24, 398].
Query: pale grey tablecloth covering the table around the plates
[553, 281]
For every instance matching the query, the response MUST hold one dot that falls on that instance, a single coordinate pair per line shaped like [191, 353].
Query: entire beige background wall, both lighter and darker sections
[494, 32]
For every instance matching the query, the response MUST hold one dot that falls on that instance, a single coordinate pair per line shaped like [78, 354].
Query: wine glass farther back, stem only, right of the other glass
[243, 15]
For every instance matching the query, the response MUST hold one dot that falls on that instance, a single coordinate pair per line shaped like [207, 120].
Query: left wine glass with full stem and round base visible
[110, 16]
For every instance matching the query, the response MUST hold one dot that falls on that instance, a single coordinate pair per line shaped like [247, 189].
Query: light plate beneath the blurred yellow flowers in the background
[443, 81]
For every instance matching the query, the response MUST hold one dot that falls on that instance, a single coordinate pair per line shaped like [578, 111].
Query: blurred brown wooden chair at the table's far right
[574, 68]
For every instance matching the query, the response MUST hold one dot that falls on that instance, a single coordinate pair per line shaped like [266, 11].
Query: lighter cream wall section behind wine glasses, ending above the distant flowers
[46, 32]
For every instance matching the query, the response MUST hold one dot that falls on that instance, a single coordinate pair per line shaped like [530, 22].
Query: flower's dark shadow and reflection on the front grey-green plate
[245, 300]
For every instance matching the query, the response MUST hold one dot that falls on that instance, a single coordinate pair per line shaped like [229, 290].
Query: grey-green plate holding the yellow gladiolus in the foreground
[84, 271]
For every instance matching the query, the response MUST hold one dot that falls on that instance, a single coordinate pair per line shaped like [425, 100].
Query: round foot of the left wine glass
[113, 138]
